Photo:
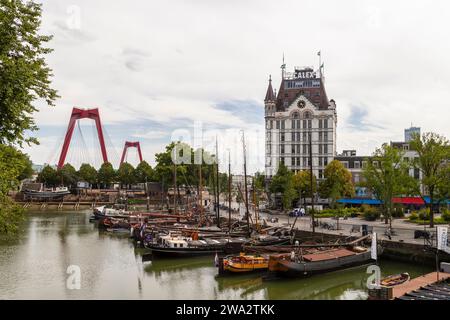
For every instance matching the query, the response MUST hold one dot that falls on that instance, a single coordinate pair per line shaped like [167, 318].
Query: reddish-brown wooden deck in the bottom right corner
[412, 288]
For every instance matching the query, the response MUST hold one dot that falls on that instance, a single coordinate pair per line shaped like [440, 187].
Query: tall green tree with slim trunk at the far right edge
[433, 162]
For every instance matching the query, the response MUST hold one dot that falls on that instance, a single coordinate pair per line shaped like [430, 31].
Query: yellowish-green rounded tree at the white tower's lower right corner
[338, 182]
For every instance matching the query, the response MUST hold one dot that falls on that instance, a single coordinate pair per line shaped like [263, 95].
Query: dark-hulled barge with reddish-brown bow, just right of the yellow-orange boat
[283, 266]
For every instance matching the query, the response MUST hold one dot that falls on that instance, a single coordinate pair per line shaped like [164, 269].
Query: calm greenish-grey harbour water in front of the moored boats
[35, 267]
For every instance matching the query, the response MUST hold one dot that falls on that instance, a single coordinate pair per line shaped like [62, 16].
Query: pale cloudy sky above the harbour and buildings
[157, 69]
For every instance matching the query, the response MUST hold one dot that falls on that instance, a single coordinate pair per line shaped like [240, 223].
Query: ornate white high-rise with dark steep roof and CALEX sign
[299, 112]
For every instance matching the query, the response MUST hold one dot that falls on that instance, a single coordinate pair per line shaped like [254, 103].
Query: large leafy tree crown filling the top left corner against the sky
[24, 75]
